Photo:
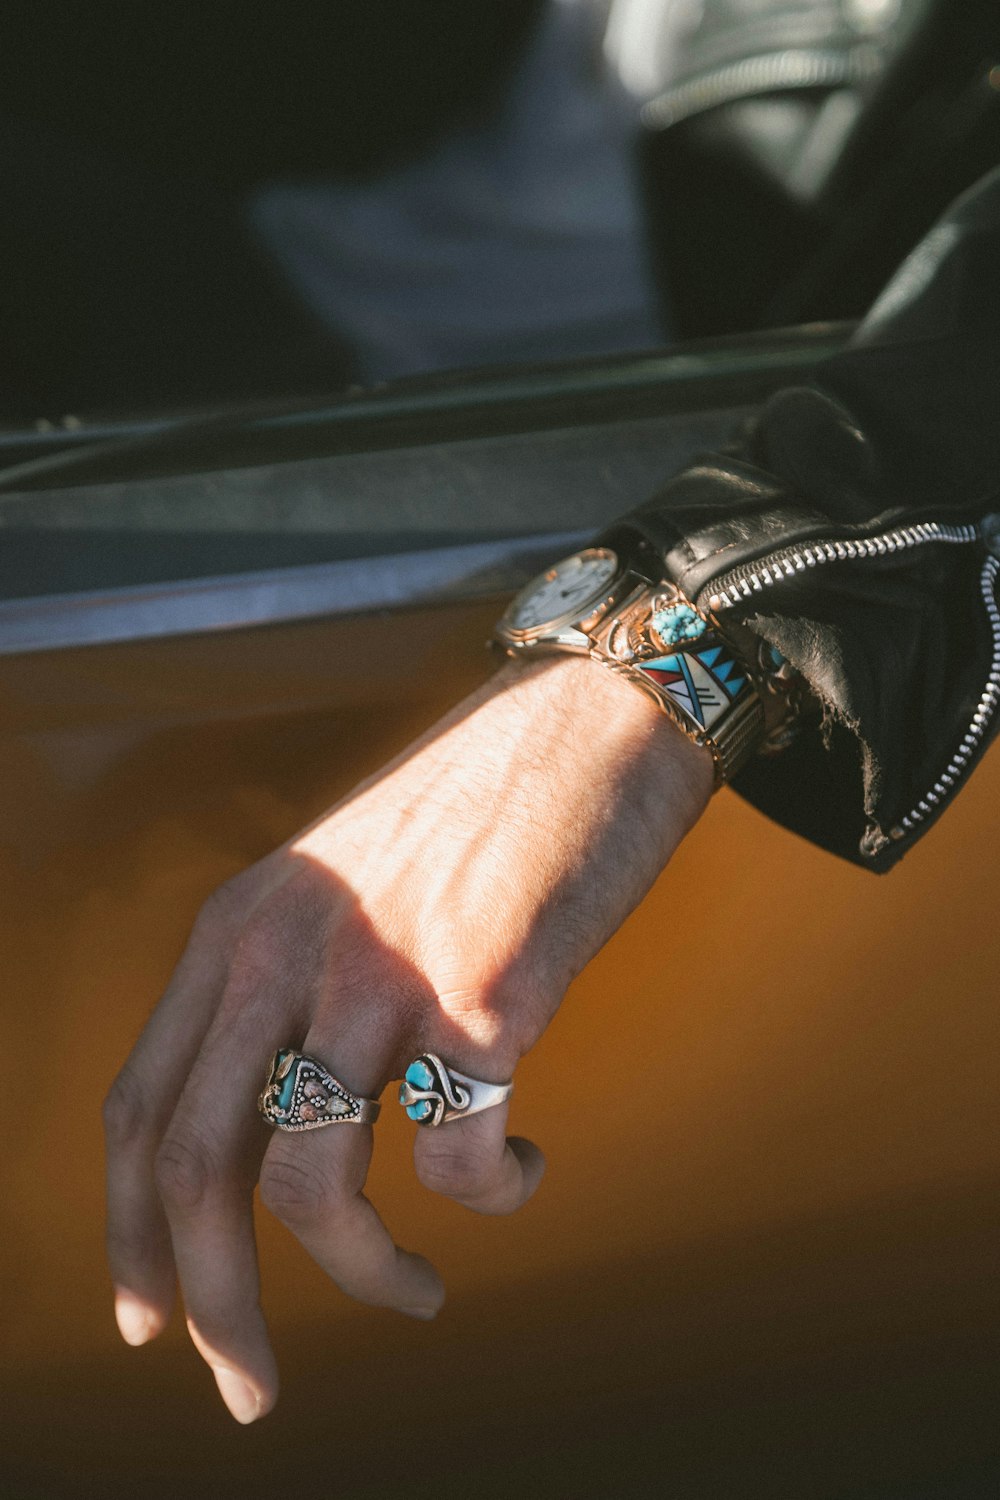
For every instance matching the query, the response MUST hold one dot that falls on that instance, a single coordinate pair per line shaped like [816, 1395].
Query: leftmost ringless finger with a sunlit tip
[136, 1114]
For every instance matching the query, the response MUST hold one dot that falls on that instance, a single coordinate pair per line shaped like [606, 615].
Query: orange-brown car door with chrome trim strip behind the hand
[762, 1262]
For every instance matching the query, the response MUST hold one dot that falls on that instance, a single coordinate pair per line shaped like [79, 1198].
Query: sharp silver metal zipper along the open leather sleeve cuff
[744, 583]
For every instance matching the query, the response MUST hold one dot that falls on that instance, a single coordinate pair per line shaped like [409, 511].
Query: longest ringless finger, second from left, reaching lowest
[206, 1172]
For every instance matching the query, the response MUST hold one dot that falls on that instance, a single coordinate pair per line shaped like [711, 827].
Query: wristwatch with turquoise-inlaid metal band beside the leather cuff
[596, 605]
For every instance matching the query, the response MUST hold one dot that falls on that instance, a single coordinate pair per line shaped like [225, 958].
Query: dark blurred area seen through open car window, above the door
[209, 203]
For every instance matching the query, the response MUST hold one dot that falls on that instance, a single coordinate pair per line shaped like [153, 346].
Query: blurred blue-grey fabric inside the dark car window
[516, 241]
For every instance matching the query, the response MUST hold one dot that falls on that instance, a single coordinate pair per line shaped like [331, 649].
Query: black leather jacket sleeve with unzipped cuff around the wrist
[822, 529]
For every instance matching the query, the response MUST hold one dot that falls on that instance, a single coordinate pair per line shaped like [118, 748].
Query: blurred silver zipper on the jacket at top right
[795, 68]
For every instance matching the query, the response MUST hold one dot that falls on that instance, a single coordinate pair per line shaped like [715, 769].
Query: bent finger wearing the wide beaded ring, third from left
[314, 1183]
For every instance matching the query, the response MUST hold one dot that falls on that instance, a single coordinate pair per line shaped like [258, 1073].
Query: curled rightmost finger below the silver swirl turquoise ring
[470, 1160]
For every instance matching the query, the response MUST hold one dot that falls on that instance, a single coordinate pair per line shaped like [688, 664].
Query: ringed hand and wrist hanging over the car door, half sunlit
[445, 907]
